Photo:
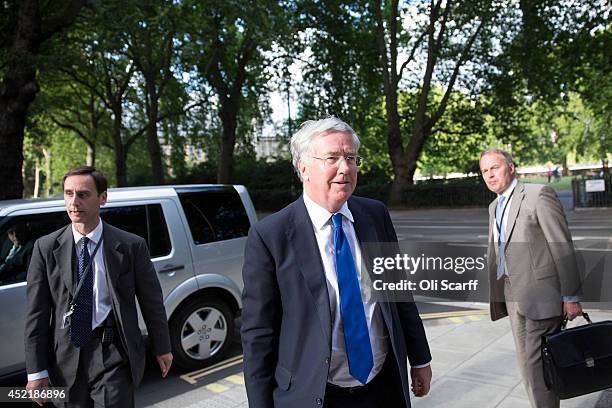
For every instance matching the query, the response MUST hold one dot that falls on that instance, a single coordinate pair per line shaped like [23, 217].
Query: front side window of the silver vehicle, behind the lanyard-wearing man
[17, 237]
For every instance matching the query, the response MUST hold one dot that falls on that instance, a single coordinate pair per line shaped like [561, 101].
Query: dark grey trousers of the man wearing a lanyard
[103, 377]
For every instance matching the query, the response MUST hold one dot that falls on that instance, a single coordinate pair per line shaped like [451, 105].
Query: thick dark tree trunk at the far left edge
[17, 91]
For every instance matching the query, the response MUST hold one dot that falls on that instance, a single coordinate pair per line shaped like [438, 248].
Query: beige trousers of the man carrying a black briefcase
[527, 339]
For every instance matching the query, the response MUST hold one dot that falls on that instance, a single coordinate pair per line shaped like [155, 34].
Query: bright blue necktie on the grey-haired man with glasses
[356, 336]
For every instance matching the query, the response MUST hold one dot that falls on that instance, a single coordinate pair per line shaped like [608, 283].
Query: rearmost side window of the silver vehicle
[214, 214]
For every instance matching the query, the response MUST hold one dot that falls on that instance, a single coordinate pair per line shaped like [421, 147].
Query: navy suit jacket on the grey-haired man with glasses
[286, 318]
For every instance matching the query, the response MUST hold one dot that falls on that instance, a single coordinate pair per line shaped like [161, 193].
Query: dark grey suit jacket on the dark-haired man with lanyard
[51, 283]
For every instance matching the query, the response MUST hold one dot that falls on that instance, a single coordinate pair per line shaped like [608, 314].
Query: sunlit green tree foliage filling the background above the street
[537, 69]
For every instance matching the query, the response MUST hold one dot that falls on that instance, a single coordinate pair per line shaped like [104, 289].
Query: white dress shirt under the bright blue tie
[338, 370]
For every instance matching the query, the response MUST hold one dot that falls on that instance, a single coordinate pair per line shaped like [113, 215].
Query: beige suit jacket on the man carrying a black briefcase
[539, 254]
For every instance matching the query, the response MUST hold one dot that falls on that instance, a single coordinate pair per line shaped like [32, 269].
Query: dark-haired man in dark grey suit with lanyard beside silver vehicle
[98, 352]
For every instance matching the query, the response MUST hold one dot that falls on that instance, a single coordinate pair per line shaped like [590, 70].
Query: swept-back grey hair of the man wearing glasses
[301, 141]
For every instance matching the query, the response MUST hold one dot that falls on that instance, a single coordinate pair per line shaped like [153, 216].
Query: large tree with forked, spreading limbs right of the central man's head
[449, 37]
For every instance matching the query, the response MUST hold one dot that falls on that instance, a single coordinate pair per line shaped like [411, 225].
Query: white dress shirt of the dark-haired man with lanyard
[102, 301]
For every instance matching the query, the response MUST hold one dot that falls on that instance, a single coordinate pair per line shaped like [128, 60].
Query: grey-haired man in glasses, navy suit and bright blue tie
[311, 334]
